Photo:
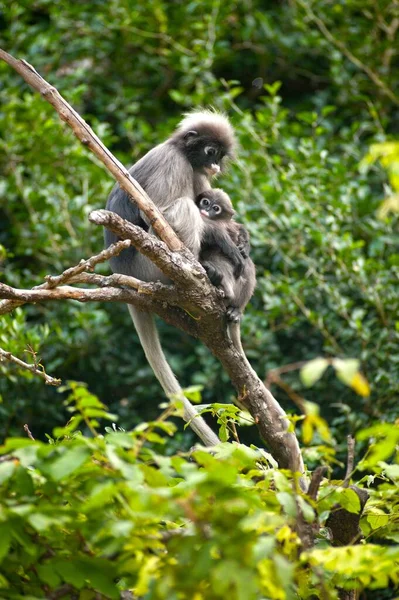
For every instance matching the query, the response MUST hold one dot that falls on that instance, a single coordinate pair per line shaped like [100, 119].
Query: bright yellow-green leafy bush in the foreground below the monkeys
[110, 513]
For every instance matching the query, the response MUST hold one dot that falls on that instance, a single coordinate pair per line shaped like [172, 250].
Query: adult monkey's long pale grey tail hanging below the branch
[145, 326]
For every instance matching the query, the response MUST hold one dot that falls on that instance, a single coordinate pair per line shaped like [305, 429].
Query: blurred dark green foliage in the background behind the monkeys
[309, 86]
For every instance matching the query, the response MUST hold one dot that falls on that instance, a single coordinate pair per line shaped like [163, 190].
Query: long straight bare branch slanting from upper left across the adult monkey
[87, 136]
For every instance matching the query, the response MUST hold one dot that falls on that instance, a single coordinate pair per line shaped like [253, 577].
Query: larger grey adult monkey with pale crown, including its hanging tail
[173, 174]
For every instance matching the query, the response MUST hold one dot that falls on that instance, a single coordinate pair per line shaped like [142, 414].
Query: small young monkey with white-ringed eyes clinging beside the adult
[222, 235]
